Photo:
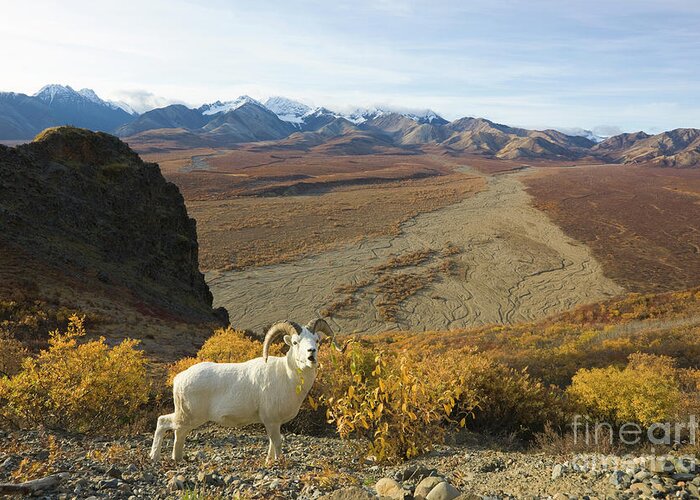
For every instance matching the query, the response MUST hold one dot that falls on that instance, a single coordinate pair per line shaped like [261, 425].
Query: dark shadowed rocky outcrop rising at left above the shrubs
[84, 201]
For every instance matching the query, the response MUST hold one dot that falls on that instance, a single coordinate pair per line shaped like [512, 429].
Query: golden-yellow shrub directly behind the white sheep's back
[226, 345]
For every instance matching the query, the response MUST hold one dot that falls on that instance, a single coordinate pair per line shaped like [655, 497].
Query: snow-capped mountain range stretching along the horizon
[291, 124]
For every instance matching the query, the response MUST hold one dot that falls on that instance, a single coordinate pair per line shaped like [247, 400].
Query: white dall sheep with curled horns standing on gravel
[261, 390]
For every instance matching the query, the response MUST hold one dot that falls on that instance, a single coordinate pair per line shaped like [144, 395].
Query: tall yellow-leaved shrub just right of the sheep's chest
[396, 411]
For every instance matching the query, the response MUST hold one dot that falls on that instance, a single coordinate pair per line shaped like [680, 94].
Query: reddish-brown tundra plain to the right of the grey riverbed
[640, 222]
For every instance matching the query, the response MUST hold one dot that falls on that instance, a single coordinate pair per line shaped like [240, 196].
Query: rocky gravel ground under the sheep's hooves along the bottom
[223, 463]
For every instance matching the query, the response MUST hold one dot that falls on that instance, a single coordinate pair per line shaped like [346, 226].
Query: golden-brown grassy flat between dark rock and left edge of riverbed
[256, 231]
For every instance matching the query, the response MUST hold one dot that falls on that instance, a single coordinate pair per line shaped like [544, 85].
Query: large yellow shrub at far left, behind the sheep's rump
[78, 387]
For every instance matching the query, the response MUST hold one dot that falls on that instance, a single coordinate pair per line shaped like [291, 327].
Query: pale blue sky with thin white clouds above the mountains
[607, 66]
